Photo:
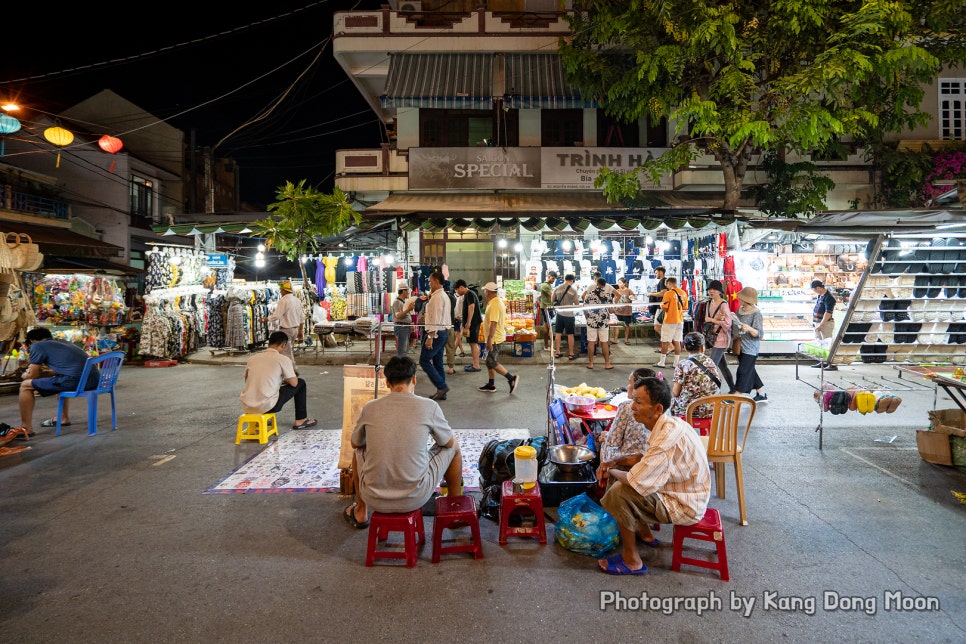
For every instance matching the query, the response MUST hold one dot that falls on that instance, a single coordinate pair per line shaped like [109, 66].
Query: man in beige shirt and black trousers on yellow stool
[270, 382]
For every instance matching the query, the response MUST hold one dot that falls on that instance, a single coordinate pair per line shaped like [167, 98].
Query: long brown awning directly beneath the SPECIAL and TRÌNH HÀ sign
[534, 211]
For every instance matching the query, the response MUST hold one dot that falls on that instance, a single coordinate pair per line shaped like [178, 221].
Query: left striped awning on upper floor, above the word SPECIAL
[447, 81]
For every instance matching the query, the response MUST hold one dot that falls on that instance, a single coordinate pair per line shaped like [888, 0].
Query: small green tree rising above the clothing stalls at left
[301, 217]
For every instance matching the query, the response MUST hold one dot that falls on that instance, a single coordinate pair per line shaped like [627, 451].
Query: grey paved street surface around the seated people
[111, 539]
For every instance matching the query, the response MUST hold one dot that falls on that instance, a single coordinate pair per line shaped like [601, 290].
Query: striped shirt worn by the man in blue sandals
[675, 466]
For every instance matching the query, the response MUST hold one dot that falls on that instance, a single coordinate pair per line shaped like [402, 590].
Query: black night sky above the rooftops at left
[245, 58]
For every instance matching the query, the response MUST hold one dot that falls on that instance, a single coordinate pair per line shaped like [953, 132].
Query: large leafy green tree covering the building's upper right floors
[742, 77]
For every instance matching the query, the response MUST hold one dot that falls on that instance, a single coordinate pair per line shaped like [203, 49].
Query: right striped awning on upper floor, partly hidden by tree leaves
[535, 81]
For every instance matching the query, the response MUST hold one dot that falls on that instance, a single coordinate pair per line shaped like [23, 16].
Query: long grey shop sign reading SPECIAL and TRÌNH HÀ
[495, 168]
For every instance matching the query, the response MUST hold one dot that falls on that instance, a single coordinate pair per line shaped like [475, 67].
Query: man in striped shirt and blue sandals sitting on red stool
[670, 484]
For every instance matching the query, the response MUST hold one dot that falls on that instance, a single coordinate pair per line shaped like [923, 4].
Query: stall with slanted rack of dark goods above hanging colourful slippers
[904, 308]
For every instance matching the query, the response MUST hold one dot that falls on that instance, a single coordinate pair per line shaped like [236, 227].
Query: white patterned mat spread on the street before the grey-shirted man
[308, 461]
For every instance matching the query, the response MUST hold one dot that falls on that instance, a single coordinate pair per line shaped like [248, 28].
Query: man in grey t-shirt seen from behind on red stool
[392, 470]
